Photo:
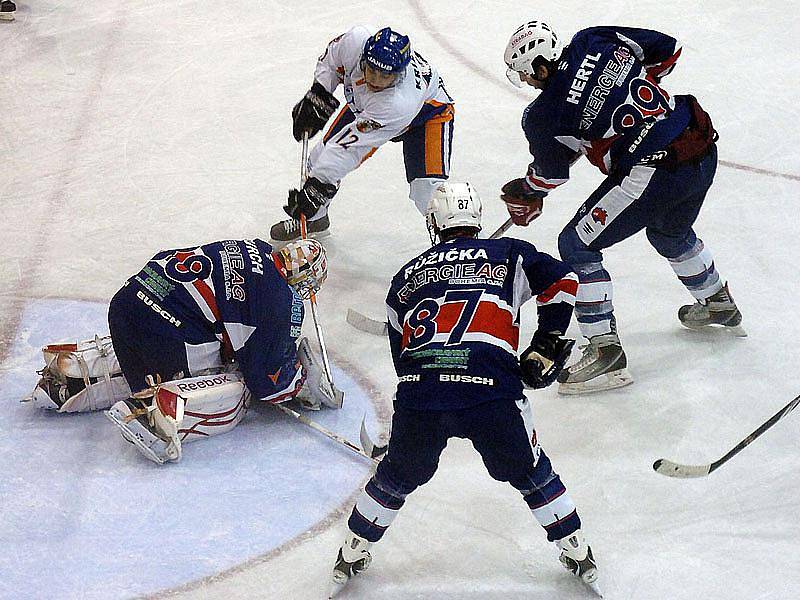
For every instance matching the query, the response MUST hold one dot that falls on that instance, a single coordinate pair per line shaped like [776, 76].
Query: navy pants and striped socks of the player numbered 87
[501, 431]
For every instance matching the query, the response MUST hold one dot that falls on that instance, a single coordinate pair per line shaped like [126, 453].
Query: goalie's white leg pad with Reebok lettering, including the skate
[158, 421]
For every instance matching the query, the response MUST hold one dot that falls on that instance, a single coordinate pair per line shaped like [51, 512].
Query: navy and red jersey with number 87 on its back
[453, 316]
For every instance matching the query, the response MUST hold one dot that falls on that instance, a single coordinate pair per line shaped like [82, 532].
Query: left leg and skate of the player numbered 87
[416, 442]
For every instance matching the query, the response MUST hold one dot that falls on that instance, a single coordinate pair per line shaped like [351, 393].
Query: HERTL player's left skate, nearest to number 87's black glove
[602, 367]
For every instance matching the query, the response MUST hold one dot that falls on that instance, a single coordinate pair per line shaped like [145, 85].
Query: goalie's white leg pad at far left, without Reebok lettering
[80, 377]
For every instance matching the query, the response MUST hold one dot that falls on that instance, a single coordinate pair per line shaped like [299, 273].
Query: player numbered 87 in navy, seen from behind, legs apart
[453, 316]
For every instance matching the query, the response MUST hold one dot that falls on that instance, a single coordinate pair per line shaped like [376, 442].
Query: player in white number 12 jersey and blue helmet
[392, 94]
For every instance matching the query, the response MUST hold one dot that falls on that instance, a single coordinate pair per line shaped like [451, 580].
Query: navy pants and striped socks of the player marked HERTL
[663, 202]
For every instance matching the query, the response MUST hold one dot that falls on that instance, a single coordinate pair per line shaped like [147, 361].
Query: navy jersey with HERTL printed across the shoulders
[605, 101]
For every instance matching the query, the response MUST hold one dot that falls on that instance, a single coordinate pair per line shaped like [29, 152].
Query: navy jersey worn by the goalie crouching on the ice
[230, 295]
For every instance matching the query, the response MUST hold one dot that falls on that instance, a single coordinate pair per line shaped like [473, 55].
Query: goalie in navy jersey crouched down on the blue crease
[194, 336]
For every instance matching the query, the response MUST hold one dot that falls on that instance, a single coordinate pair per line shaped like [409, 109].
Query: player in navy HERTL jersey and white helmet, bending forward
[601, 96]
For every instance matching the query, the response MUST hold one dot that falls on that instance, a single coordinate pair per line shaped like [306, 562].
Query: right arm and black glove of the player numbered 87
[554, 285]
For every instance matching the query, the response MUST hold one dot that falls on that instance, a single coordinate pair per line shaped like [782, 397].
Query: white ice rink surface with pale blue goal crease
[133, 126]
